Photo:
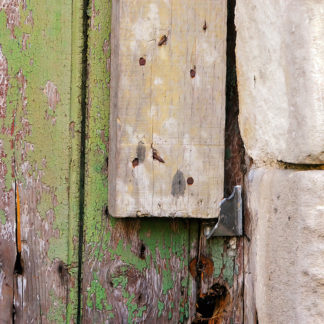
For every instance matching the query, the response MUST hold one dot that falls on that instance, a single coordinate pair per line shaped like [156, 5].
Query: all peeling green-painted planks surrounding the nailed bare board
[132, 270]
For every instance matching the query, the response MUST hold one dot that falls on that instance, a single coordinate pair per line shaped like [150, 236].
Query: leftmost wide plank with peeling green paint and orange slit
[39, 131]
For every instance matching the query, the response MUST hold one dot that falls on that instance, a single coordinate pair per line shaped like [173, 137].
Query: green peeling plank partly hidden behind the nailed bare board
[134, 271]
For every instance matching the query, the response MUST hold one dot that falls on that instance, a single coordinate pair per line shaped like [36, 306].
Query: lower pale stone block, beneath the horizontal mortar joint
[287, 245]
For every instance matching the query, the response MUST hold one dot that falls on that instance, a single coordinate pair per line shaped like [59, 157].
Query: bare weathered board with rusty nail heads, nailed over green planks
[167, 108]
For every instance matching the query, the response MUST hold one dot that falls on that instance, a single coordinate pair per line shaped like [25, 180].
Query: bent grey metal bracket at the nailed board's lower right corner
[230, 217]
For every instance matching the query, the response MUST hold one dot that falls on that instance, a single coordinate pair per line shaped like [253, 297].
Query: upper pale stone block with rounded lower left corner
[280, 70]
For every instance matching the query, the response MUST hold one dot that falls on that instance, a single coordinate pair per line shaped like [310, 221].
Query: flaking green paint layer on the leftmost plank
[47, 144]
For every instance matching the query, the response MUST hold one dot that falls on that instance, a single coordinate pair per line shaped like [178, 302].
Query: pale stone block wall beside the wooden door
[280, 65]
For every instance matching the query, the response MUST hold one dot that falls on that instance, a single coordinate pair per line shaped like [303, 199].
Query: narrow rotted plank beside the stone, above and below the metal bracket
[220, 260]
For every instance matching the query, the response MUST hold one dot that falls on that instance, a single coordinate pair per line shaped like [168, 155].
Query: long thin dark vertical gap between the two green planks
[84, 75]
